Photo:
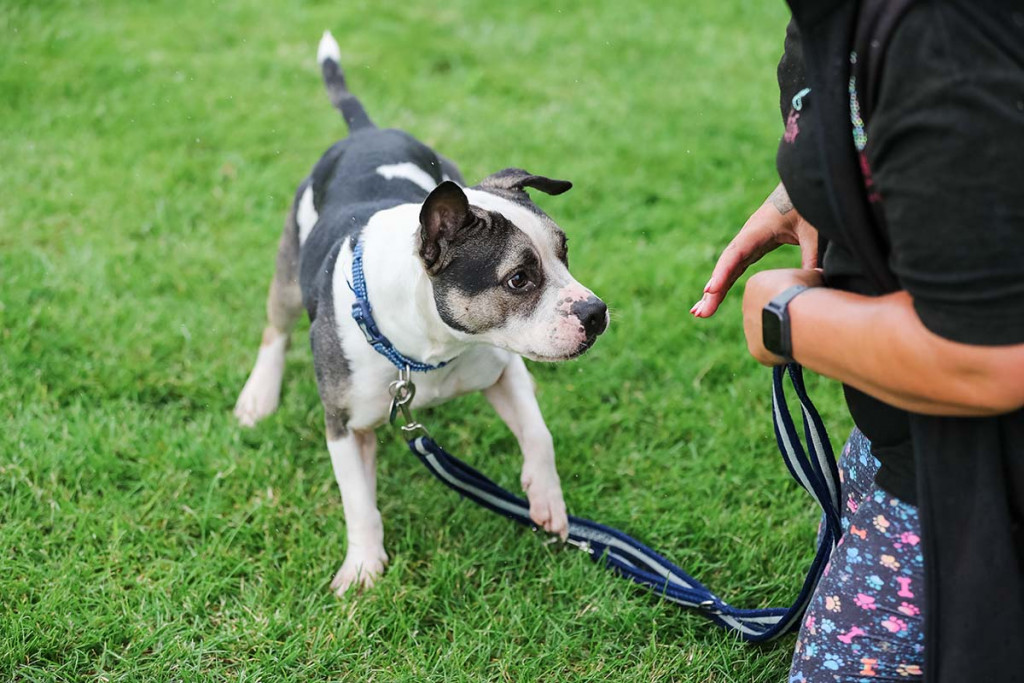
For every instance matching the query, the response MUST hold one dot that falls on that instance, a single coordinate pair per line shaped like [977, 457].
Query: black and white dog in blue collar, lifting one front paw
[467, 280]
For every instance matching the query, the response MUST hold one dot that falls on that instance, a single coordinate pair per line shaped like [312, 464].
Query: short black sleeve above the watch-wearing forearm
[947, 150]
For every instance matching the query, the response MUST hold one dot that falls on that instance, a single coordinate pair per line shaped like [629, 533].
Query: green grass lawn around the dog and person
[149, 154]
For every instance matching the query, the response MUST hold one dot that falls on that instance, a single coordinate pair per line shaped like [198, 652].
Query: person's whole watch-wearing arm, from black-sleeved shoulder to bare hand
[943, 159]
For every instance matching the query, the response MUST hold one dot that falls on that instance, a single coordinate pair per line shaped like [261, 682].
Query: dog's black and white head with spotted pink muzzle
[500, 269]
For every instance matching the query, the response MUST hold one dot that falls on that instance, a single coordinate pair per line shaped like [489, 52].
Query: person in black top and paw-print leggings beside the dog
[919, 311]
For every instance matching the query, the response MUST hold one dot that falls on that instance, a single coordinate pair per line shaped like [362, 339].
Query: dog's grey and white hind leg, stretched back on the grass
[262, 394]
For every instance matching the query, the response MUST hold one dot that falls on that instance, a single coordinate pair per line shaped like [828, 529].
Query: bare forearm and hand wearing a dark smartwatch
[880, 347]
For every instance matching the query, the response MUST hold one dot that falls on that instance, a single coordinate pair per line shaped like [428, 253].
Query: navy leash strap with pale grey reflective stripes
[815, 468]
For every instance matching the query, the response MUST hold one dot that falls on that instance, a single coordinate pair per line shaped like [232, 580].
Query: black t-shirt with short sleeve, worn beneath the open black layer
[947, 153]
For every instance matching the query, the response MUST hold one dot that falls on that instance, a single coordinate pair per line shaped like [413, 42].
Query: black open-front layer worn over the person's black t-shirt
[970, 473]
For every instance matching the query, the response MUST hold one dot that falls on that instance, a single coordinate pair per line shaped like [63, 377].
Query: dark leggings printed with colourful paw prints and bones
[865, 621]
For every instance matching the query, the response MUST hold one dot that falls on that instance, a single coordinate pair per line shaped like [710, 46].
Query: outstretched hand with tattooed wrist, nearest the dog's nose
[776, 224]
